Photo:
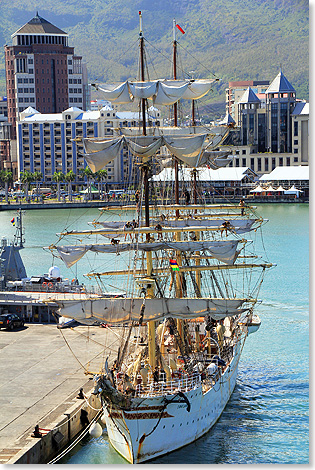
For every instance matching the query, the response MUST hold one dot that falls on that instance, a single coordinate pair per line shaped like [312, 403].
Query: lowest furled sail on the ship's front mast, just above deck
[124, 309]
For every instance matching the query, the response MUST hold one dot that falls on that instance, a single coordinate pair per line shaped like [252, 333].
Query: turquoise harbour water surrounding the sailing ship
[267, 419]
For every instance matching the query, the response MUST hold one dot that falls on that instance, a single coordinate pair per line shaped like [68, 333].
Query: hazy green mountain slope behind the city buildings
[229, 39]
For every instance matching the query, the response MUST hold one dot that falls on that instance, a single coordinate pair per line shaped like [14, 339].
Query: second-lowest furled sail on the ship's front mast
[224, 251]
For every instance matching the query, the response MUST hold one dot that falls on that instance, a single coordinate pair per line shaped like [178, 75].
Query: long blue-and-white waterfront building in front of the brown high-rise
[51, 143]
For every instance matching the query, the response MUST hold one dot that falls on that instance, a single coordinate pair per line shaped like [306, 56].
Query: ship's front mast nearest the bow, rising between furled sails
[150, 287]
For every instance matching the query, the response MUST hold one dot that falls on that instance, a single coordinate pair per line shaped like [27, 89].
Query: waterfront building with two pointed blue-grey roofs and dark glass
[272, 128]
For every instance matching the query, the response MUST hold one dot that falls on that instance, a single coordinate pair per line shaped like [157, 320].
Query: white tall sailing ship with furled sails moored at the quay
[188, 288]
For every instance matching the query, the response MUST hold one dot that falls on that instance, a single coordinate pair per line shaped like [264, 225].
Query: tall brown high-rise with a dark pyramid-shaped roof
[42, 71]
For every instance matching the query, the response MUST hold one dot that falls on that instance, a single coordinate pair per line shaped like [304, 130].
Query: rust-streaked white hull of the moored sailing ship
[153, 429]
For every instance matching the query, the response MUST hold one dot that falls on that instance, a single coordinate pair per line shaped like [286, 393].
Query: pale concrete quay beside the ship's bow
[42, 371]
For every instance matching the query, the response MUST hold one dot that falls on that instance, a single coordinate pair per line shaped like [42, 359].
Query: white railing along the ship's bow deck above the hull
[180, 384]
